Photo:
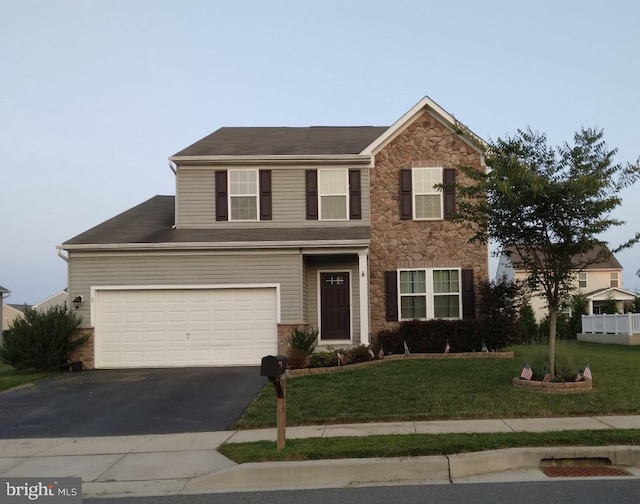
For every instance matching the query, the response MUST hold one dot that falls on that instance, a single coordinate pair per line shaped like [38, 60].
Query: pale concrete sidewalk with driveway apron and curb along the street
[189, 463]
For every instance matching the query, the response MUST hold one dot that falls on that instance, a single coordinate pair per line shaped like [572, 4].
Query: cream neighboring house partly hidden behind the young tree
[600, 281]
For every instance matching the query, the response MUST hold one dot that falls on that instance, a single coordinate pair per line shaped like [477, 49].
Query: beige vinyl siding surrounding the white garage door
[188, 268]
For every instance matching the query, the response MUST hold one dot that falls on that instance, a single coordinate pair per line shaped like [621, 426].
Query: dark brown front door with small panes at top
[334, 306]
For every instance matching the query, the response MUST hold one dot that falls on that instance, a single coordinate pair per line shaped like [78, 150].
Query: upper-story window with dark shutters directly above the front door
[333, 194]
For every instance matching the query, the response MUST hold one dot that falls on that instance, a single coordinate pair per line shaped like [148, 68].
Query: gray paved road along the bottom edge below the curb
[557, 492]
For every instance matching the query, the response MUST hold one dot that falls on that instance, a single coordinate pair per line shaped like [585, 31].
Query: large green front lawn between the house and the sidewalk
[453, 389]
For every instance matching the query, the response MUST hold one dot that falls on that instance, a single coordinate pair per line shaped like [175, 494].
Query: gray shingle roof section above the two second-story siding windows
[315, 140]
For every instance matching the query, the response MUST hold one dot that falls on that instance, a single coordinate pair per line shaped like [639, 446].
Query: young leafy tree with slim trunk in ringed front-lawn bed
[547, 206]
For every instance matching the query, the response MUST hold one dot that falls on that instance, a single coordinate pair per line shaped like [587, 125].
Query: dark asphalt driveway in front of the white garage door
[129, 402]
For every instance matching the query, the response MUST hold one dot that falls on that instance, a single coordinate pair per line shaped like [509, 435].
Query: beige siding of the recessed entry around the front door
[312, 270]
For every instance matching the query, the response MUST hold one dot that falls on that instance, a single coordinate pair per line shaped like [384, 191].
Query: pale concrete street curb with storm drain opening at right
[409, 470]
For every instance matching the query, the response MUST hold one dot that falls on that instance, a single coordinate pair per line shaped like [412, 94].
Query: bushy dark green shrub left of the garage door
[42, 340]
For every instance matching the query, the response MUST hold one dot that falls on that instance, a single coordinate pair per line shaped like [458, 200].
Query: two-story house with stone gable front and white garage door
[336, 228]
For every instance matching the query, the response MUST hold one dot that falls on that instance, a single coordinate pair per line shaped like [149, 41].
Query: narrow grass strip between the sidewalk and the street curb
[414, 445]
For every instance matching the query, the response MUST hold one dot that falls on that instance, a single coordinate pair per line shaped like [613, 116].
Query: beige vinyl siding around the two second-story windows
[196, 200]
